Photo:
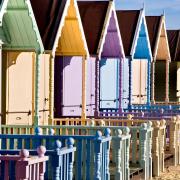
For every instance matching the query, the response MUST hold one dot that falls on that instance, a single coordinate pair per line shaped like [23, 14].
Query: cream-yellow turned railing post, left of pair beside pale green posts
[155, 148]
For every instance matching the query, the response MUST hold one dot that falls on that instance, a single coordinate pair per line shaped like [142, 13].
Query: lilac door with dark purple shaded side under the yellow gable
[68, 86]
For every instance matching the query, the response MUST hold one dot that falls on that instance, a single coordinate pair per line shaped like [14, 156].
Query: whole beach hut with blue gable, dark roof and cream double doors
[136, 68]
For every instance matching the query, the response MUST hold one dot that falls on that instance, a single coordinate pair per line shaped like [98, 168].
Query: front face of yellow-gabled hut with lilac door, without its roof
[71, 57]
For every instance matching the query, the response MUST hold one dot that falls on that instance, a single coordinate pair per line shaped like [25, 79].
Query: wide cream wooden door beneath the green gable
[19, 89]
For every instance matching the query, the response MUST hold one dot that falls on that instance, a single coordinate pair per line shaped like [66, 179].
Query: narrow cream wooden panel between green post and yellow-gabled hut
[44, 90]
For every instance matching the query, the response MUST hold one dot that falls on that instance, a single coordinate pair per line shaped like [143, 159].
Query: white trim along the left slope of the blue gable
[136, 35]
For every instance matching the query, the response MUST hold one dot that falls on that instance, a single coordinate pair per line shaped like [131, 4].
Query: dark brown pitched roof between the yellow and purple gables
[93, 15]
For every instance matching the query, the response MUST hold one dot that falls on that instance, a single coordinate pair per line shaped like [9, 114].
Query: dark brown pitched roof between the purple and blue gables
[127, 29]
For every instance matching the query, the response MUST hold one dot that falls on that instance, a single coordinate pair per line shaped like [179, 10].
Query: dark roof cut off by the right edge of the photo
[174, 44]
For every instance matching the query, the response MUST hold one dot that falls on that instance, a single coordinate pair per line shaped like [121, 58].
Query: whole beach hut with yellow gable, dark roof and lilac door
[62, 34]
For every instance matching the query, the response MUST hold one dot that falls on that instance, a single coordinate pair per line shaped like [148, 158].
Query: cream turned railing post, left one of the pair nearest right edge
[173, 139]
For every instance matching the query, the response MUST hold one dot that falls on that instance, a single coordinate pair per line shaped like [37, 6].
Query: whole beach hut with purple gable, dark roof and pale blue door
[106, 55]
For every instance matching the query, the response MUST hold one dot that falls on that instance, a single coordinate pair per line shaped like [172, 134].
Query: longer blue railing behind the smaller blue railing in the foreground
[91, 157]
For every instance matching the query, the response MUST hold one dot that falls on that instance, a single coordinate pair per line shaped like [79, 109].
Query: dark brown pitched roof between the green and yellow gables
[48, 15]
